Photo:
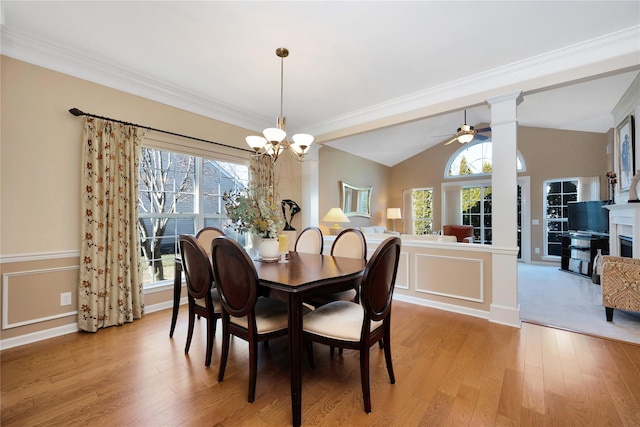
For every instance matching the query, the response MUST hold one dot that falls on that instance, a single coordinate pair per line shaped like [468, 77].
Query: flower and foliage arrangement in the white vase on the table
[256, 215]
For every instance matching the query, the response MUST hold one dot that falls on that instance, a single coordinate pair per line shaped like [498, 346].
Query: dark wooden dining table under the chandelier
[304, 276]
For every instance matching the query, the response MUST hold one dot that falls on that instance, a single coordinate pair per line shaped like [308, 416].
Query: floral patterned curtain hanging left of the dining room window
[110, 288]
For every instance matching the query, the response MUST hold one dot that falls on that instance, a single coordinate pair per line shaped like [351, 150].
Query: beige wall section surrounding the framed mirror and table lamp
[337, 166]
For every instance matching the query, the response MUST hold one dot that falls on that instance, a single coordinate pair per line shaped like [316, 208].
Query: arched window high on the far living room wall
[474, 159]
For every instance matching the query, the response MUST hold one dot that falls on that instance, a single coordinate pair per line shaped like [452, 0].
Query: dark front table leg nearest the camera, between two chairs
[295, 355]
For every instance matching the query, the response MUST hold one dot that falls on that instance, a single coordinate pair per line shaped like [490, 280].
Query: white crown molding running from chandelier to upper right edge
[612, 52]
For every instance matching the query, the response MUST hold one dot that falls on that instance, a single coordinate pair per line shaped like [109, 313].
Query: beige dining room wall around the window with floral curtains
[40, 182]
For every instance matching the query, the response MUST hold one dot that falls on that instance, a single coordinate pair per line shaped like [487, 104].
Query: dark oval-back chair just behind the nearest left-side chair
[202, 297]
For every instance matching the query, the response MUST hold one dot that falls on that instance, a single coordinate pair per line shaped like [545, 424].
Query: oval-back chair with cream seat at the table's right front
[347, 324]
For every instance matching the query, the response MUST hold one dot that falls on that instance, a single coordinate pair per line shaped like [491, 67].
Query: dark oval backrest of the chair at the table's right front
[379, 279]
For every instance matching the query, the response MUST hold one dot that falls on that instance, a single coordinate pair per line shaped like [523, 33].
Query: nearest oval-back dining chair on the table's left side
[244, 313]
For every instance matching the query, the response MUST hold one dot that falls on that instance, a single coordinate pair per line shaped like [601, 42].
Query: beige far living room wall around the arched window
[547, 153]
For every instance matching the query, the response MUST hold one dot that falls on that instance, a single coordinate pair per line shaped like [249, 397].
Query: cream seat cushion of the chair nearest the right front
[341, 320]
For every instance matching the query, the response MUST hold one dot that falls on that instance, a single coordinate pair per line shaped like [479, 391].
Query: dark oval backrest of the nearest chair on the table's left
[235, 276]
